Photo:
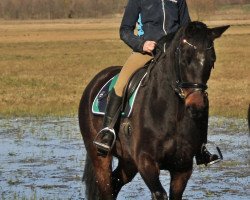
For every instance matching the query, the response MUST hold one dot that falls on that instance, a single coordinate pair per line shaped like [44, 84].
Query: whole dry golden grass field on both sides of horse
[45, 65]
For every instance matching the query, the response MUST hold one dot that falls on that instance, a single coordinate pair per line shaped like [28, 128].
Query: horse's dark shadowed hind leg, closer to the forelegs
[123, 174]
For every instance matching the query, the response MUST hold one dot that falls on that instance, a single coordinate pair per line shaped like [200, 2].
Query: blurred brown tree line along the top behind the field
[56, 9]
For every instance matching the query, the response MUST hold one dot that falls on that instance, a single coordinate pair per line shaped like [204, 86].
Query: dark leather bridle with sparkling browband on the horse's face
[179, 83]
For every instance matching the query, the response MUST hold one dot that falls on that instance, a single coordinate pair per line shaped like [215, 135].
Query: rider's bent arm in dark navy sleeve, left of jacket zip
[128, 25]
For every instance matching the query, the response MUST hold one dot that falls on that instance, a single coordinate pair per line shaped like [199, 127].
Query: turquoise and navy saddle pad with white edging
[100, 101]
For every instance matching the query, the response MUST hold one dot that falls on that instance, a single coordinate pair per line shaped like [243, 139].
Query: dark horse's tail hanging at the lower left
[91, 192]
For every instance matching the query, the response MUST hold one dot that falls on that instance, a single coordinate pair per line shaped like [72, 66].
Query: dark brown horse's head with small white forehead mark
[195, 57]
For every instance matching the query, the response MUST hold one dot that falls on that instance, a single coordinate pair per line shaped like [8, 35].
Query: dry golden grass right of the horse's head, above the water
[229, 89]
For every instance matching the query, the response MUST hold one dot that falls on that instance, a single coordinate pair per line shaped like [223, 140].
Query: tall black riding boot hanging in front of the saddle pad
[106, 136]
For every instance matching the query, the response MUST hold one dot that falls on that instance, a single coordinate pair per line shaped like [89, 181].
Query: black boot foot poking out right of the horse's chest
[205, 157]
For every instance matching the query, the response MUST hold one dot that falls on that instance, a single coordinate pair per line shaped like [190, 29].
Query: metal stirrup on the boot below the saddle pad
[104, 147]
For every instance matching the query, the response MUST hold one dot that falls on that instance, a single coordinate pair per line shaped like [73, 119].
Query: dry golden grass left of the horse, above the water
[43, 73]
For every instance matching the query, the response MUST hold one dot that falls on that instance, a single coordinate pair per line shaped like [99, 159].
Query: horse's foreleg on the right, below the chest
[178, 184]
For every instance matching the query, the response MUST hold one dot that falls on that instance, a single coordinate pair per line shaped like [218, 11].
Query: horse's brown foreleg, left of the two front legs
[150, 172]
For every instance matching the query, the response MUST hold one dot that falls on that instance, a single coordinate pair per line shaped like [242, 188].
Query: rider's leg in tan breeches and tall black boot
[134, 62]
